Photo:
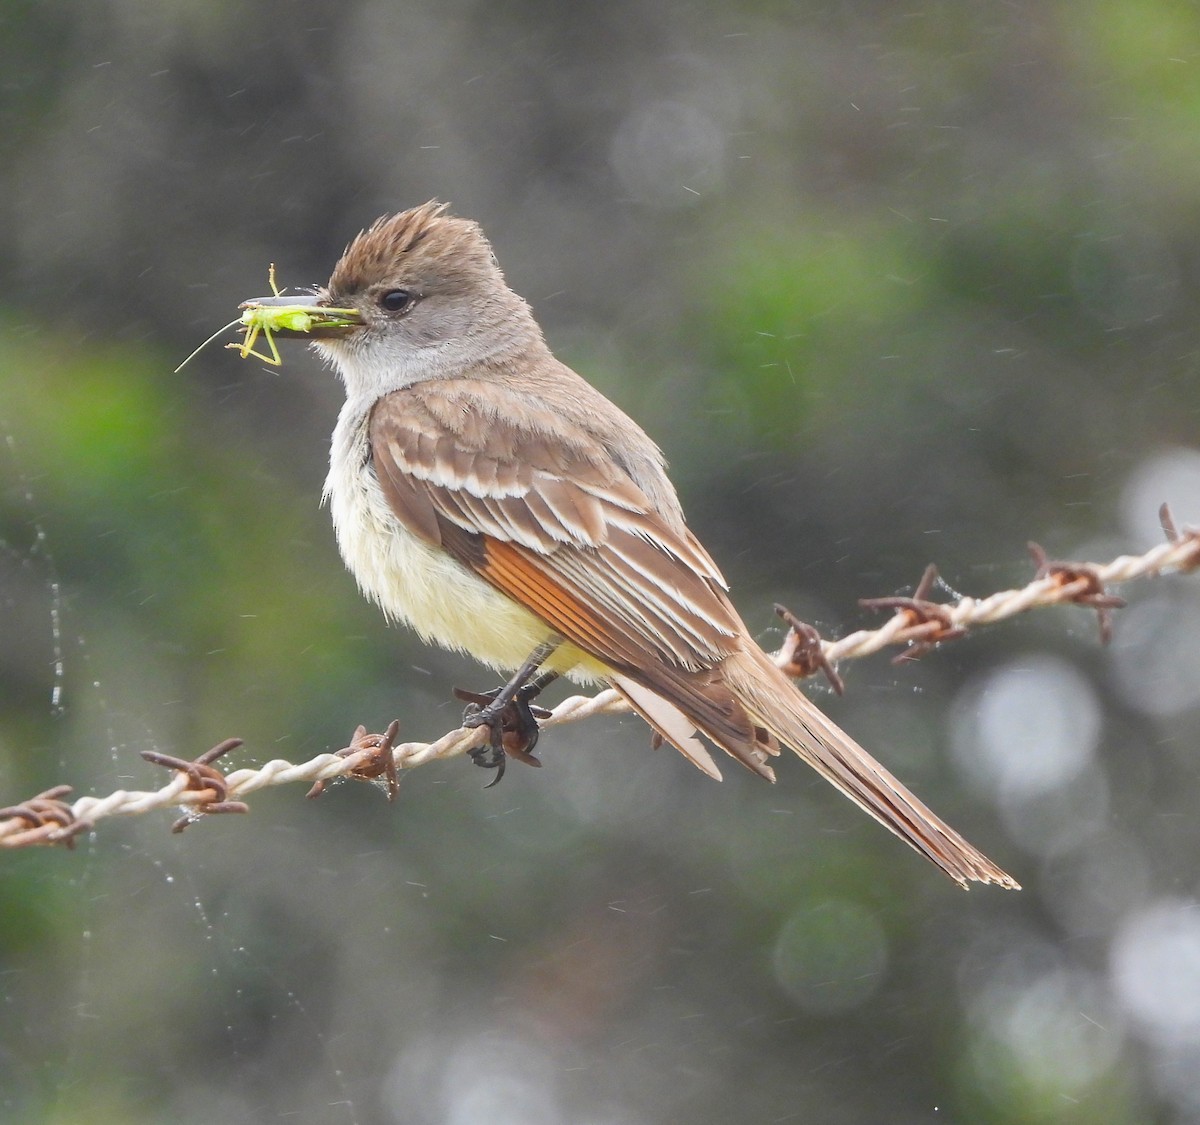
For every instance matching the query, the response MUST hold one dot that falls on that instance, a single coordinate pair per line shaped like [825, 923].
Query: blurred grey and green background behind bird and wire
[890, 284]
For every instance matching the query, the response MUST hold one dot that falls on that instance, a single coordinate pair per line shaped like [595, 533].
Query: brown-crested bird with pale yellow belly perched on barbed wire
[488, 496]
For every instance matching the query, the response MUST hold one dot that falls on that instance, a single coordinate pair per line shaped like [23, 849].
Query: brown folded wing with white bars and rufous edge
[551, 520]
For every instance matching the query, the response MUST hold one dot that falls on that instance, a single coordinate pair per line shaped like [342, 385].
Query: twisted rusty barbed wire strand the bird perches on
[917, 627]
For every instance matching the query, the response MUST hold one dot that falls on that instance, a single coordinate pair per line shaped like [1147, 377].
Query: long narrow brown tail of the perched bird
[773, 702]
